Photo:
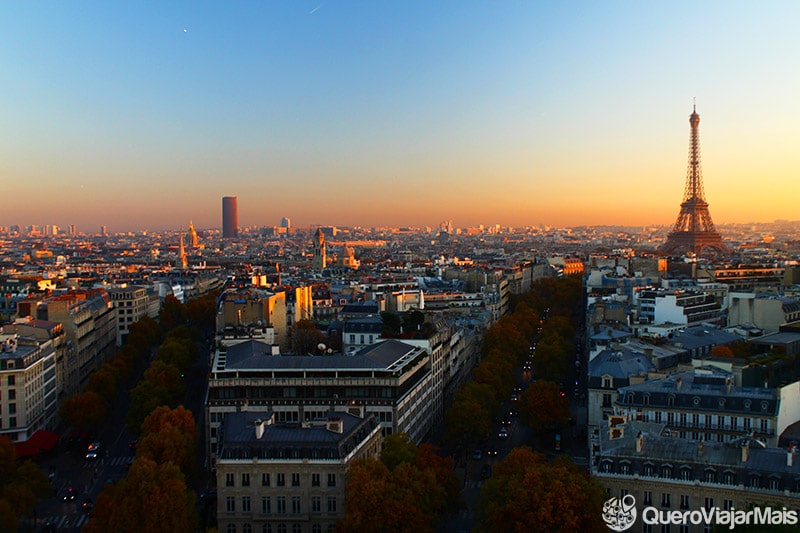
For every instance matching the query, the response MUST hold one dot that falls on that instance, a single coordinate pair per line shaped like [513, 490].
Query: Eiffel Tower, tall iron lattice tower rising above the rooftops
[694, 231]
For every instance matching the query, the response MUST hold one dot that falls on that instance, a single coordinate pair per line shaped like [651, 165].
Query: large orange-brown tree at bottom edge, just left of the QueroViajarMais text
[528, 494]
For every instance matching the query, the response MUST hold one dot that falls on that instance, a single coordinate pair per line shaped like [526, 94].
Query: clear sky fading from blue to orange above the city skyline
[142, 116]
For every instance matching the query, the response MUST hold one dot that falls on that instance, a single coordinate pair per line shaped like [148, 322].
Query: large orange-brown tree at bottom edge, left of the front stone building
[151, 498]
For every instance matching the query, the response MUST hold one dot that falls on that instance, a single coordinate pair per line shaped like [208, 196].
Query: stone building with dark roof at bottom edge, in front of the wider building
[279, 476]
